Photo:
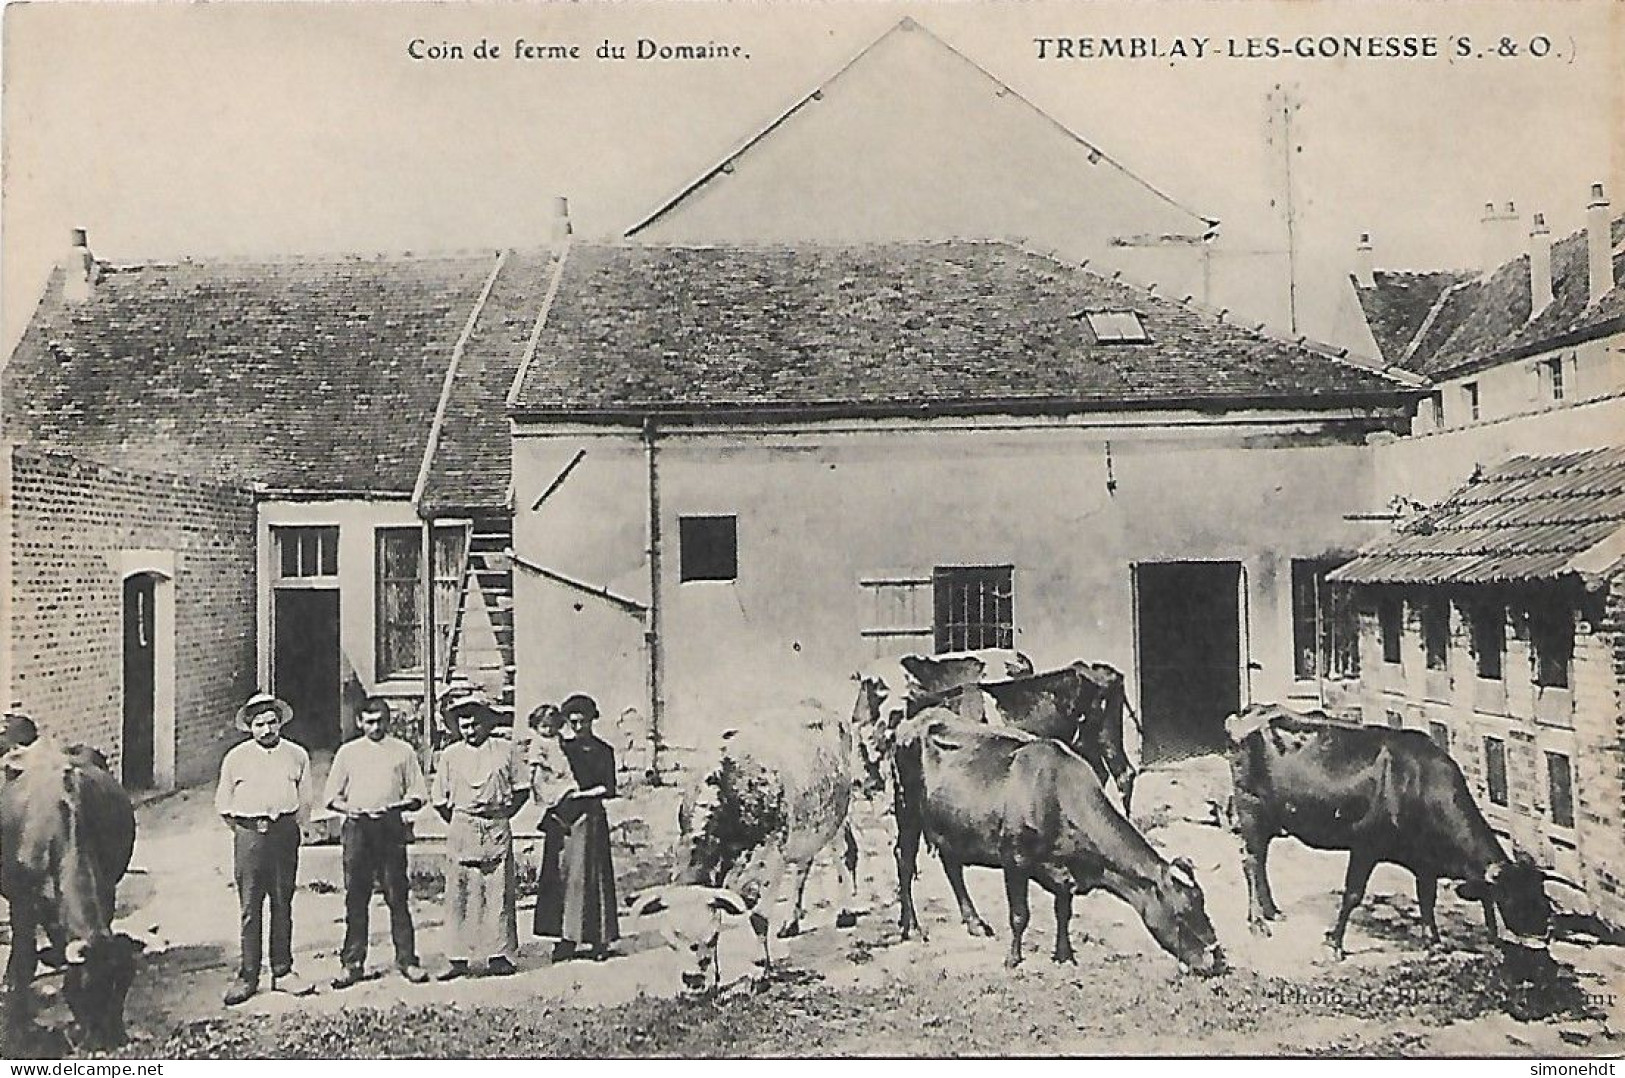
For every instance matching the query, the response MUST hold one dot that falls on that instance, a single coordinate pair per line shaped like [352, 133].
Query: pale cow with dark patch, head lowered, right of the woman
[752, 828]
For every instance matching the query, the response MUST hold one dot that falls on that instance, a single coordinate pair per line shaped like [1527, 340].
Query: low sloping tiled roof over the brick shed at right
[1528, 519]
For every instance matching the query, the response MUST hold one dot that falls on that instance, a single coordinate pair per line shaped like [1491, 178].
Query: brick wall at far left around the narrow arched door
[71, 523]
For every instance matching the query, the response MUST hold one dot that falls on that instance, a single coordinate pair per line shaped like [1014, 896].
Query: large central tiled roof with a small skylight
[895, 329]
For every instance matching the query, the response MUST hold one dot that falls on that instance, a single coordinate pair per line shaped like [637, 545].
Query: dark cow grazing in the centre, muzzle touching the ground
[1005, 799]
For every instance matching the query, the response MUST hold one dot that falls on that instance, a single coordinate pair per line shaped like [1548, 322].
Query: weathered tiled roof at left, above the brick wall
[314, 376]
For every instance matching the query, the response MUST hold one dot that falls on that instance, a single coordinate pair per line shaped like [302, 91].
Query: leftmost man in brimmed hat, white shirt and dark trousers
[264, 783]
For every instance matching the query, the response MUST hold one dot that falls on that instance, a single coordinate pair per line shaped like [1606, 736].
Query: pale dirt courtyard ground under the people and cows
[865, 991]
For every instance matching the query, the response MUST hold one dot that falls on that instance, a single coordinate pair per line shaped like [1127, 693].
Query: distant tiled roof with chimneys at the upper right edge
[1481, 321]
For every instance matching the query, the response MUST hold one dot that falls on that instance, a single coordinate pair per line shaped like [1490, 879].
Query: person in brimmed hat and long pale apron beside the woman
[479, 786]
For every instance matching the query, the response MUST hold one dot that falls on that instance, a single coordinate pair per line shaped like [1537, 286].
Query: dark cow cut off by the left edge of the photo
[67, 830]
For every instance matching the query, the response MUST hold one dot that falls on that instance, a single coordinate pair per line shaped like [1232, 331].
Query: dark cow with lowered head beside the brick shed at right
[1382, 794]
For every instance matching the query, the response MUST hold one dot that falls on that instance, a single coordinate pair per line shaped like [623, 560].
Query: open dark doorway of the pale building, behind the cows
[1190, 654]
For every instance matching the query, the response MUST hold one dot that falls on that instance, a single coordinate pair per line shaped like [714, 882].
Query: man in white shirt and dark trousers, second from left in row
[375, 780]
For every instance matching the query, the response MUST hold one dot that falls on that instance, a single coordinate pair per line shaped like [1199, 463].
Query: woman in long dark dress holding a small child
[576, 902]
